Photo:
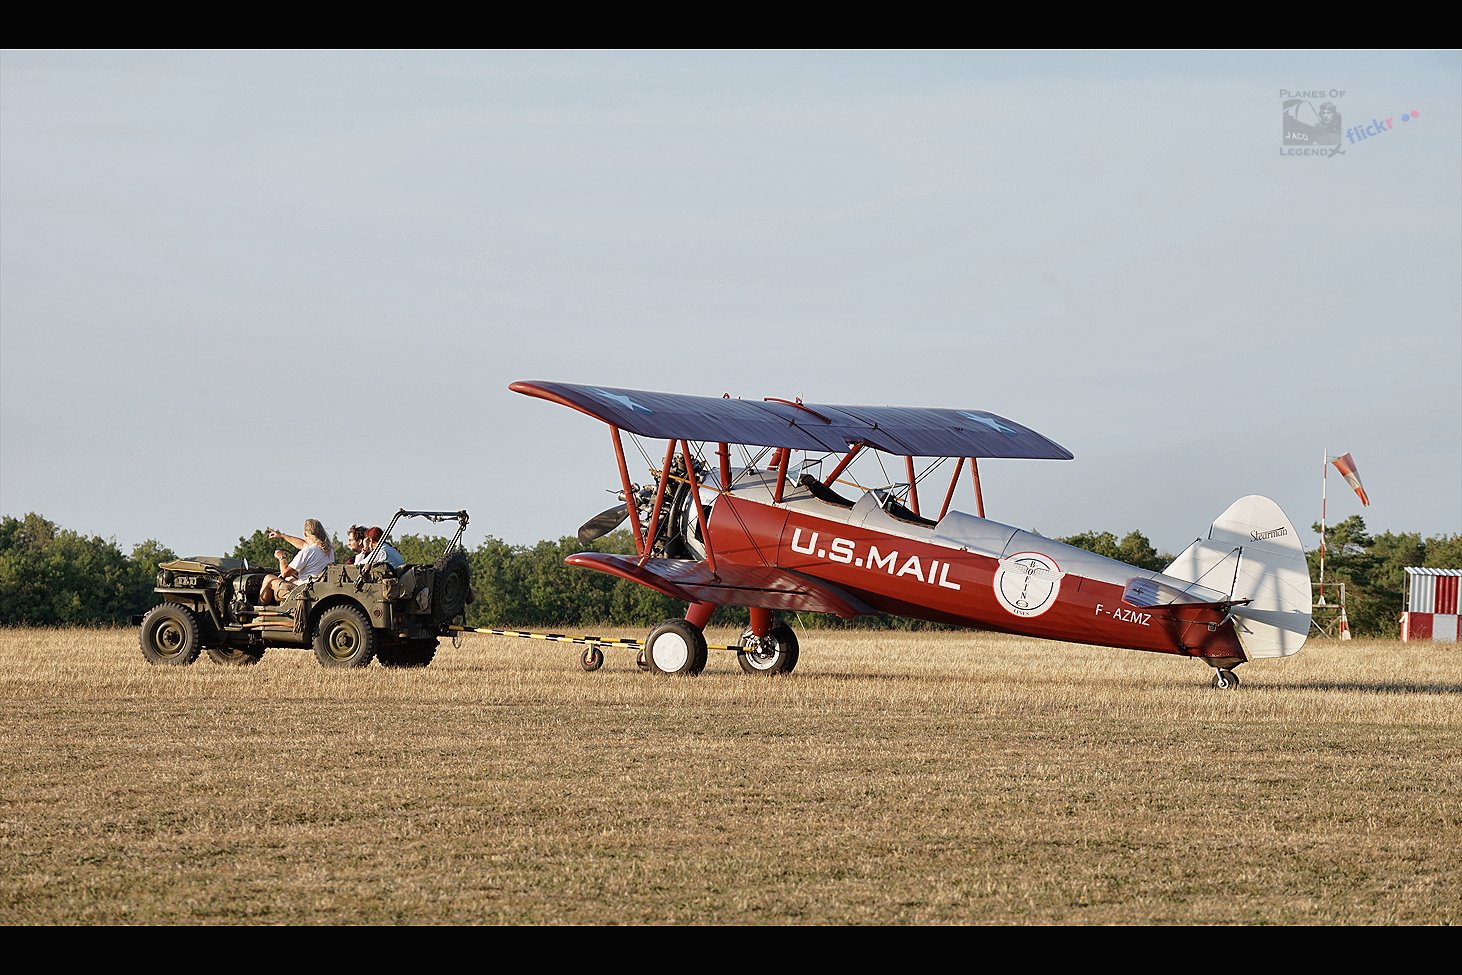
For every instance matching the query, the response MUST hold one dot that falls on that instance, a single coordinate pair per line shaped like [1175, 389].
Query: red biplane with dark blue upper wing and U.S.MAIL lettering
[776, 534]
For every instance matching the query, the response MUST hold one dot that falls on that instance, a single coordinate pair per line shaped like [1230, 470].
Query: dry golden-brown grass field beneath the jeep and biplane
[894, 780]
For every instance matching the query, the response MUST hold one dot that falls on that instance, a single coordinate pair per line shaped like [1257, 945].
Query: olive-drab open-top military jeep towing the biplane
[349, 615]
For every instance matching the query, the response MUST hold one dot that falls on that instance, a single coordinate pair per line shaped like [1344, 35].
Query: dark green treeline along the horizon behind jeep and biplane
[53, 577]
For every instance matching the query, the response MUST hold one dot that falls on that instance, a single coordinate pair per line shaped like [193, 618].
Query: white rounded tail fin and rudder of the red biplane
[1254, 553]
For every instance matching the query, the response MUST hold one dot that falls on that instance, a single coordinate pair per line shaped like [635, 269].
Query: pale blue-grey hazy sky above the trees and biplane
[243, 289]
